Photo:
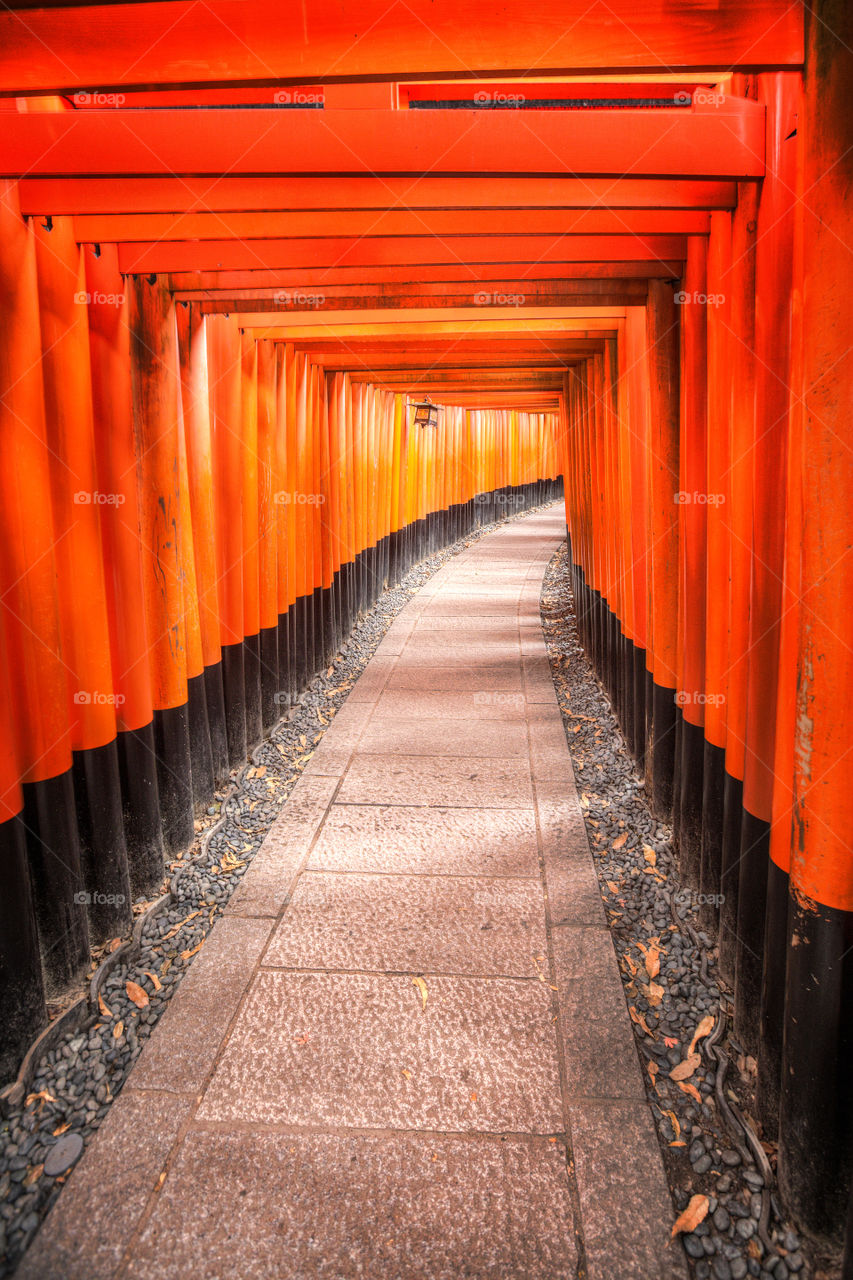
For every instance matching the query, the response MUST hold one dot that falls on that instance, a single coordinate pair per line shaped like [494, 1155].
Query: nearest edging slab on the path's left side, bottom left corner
[86, 1233]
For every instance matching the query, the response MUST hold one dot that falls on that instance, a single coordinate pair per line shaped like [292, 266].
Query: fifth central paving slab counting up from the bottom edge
[480, 783]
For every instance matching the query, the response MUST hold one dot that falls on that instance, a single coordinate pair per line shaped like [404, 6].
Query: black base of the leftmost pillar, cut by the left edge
[22, 995]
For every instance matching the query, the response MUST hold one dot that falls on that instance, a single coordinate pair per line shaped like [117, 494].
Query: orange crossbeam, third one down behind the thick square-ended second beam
[394, 252]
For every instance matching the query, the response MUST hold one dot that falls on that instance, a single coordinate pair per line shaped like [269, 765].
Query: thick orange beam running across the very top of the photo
[183, 43]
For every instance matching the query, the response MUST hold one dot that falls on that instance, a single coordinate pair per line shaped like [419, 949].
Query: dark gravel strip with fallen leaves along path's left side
[77, 1067]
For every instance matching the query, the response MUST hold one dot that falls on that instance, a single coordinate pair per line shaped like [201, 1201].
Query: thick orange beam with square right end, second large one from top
[714, 140]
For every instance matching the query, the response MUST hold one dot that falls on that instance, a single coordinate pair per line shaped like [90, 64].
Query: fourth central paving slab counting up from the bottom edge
[428, 843]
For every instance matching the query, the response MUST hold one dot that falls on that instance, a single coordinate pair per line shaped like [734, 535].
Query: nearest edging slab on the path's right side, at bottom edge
[626, 1208]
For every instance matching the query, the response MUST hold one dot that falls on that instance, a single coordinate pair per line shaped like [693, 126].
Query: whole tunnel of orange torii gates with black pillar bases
[613, 243]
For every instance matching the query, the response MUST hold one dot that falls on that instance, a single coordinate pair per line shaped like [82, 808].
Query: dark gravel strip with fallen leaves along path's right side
[669, 970]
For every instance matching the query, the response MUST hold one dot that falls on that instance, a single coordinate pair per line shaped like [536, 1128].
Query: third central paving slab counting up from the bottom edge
[413, 924]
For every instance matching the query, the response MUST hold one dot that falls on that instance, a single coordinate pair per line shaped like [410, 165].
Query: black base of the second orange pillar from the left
[60, 894]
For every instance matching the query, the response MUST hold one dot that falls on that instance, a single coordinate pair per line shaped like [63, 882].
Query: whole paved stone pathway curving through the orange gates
[405, 1050]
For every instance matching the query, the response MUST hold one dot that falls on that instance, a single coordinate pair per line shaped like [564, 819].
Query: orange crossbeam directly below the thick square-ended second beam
[168, 195]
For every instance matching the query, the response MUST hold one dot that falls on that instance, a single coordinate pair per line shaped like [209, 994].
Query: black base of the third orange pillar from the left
[101, 828]
